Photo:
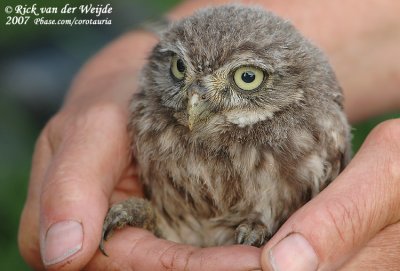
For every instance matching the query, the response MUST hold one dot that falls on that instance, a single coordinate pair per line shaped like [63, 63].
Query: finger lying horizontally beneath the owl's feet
[137, 249]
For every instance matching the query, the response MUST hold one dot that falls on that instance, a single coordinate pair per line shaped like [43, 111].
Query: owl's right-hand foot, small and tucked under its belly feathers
[253, 233]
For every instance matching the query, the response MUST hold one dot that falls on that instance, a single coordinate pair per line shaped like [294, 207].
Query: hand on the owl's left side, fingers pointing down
[81, 159]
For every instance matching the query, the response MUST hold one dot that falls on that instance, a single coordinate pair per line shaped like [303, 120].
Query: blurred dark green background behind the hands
[37, 64]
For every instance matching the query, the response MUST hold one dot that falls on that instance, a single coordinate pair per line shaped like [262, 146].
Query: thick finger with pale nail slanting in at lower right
[363, 200]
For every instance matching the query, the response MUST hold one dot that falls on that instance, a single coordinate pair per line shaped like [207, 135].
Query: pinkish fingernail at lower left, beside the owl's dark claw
[62, 240]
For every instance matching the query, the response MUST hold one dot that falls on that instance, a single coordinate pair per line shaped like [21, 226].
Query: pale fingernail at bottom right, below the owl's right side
[293, 253]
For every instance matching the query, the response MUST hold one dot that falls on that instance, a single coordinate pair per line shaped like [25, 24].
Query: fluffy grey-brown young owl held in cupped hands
[238, 122]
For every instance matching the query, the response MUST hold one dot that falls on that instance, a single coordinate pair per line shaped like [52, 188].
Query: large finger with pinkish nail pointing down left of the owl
[78, 184]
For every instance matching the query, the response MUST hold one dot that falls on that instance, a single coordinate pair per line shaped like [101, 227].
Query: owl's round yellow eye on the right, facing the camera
[248, 78]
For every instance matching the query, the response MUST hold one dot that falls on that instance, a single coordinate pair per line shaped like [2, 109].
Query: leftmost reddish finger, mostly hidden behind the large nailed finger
[28, 235]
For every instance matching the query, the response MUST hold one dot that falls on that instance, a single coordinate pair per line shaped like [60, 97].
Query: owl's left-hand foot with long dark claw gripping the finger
[134, 212]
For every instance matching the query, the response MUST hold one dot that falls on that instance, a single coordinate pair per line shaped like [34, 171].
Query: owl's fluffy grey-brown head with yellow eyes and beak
[236, 66]
